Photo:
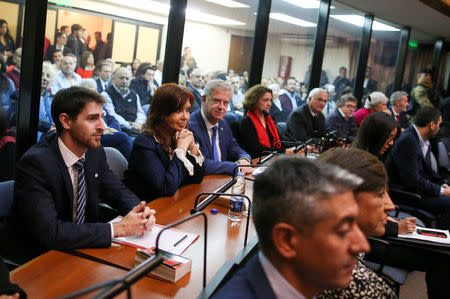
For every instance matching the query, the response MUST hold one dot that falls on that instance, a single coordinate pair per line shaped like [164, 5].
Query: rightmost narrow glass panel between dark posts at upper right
[382, 58]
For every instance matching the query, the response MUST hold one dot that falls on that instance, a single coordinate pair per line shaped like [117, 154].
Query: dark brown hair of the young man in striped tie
[71, 101]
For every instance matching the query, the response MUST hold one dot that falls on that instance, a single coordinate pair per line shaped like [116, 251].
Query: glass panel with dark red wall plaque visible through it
[289, 48]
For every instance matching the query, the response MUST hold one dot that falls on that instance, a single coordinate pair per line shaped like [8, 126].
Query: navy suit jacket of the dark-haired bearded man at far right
[408, 169]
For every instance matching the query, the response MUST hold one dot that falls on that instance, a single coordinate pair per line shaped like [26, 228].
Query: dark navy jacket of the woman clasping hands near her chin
[151, 173]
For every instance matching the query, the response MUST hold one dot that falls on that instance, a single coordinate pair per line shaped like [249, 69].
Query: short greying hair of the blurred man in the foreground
[292, 190]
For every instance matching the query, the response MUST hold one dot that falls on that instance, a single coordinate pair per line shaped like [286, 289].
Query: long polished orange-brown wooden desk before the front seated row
[225, 239]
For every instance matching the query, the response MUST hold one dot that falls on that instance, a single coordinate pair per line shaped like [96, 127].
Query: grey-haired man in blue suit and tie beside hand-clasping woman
[212, 133]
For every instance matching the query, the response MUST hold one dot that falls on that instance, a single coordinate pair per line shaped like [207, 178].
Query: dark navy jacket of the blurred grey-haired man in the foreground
[248, 282]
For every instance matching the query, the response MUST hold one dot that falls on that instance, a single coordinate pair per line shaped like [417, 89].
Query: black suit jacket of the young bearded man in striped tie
[43, 199]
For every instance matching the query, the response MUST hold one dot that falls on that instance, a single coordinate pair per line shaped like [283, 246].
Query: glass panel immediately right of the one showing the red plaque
[341, 50]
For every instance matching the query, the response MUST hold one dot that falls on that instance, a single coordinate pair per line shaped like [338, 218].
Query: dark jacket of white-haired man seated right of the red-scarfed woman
[301, 124]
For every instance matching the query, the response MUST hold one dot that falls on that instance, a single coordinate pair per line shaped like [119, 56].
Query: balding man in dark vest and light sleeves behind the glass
[124, 104]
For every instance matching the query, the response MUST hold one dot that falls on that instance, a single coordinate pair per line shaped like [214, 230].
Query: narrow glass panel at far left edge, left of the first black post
[10, 64]
